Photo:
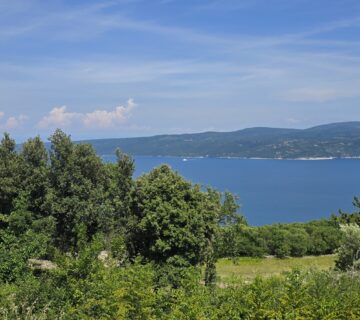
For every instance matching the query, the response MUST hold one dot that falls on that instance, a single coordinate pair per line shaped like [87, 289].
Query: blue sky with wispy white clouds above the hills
[127, 68]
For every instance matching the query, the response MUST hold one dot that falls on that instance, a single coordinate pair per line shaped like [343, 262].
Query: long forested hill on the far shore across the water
[331, 140]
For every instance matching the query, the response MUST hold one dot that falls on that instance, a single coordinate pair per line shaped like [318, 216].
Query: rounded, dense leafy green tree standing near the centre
[172, 222]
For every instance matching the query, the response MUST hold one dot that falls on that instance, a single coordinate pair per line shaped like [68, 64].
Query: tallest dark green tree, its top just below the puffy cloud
[77, 194]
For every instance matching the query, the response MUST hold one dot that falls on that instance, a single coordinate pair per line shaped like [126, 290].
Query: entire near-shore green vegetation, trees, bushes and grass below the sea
[83, 239]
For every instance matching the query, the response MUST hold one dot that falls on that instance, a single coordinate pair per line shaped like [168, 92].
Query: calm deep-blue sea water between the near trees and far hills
[272, 191]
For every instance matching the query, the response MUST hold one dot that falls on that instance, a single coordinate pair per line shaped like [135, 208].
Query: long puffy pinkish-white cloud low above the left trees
[60, 117]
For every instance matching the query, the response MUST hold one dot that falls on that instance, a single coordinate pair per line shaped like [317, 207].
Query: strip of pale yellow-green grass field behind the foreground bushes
[249, 268]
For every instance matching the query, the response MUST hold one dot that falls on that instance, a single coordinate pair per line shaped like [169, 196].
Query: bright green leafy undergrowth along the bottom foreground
[83, 288]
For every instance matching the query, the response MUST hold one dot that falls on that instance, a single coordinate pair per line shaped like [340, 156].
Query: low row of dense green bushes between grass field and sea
[280, 240]
